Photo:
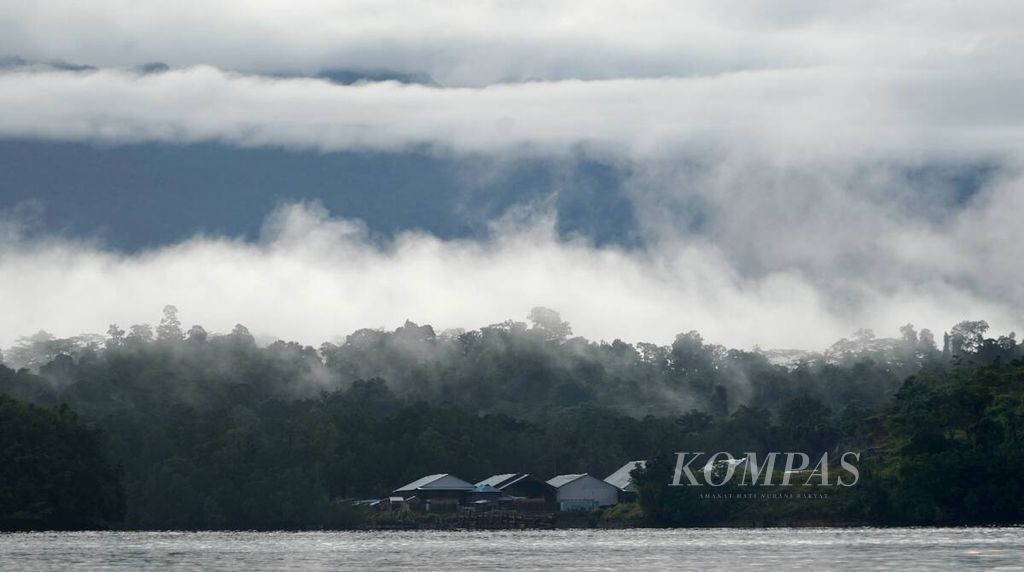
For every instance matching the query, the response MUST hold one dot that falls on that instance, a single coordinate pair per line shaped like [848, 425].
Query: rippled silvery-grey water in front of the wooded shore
[867, 549]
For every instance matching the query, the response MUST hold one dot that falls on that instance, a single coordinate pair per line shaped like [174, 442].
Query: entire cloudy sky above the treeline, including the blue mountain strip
[776, 174]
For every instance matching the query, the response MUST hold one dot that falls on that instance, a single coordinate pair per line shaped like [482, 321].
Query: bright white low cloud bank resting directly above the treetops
[314, 279]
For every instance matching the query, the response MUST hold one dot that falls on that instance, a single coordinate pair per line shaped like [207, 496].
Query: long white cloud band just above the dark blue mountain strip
[792, 116]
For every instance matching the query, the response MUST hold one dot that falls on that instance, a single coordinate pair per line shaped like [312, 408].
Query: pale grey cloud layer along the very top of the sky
[467, 42]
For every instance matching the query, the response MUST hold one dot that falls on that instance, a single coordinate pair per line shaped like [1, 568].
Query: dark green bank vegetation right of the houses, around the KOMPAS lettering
[949, 450]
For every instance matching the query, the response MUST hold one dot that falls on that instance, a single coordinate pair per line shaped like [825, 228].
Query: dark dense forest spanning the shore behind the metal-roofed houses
[218, 431]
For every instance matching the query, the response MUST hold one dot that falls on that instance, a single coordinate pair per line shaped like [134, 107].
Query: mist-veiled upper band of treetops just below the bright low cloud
[516, 368]
